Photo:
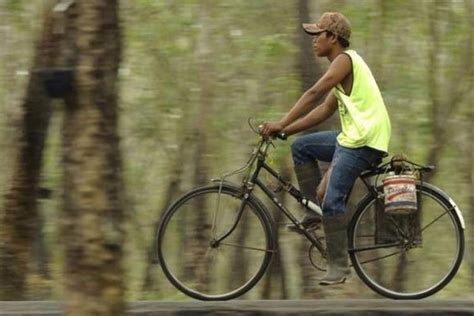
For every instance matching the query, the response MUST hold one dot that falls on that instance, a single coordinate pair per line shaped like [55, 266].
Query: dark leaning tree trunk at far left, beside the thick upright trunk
[18, 219]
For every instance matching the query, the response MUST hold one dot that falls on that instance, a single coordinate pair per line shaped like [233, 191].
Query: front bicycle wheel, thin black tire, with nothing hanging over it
[214, 243]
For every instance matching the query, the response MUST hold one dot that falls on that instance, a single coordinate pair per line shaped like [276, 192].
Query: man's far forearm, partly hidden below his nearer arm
[315, 117]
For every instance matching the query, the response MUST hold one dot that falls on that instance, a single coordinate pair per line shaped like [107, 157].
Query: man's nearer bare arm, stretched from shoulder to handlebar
[338, 70]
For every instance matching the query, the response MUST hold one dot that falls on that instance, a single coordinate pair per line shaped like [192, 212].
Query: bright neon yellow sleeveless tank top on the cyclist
[364, 118]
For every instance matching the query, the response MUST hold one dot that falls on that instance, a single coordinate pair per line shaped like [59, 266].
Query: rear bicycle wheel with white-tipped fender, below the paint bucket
[407, 263]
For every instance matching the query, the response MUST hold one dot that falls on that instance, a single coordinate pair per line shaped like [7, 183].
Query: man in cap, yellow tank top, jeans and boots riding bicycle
[364, 138]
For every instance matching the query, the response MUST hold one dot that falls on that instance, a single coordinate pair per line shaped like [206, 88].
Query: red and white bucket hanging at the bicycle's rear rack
[400, 194]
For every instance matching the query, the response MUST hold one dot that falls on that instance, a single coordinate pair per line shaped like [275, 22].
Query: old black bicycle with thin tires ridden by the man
[228, 232]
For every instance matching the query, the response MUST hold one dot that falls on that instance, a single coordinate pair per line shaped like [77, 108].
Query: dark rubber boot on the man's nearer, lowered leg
[338, 269]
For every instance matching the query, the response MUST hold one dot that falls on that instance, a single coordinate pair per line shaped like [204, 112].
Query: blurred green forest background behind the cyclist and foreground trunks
[191, 74]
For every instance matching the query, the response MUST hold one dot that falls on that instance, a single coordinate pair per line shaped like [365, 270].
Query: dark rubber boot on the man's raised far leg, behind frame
[309, 177]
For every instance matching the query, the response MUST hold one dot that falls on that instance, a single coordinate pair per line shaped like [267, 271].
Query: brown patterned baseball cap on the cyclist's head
[333, 22]
